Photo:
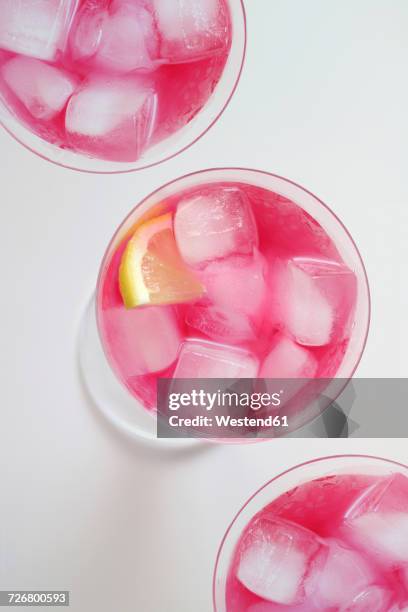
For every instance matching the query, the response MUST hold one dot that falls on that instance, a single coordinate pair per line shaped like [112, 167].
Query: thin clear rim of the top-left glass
[165, 158]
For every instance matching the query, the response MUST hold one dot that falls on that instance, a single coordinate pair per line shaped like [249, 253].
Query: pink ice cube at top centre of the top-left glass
[128, 41]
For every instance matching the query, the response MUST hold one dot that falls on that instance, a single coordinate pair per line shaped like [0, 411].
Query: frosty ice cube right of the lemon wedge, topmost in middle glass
[213, 224]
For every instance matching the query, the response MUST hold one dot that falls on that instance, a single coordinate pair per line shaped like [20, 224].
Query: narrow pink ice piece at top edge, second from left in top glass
[86, 32]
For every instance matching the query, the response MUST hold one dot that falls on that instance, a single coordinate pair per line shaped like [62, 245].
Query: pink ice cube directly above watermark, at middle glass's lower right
[288, 360]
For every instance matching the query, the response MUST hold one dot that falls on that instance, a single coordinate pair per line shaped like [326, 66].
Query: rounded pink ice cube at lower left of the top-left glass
[43, 89]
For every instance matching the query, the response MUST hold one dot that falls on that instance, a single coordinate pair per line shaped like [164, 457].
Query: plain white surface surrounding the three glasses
[323, 100]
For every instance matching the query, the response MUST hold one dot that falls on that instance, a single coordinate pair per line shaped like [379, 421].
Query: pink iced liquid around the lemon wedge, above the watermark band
[241, 313]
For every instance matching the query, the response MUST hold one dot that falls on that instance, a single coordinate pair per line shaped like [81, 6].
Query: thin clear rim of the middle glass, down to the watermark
[218, 170]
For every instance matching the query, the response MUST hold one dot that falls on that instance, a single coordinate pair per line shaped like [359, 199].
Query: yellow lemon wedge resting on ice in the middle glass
[151, 269]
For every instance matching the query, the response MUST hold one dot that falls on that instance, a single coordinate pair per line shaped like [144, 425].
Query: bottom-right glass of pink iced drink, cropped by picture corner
[328, 535]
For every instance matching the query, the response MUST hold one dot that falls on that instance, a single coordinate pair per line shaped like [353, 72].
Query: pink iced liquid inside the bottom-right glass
[369, 579]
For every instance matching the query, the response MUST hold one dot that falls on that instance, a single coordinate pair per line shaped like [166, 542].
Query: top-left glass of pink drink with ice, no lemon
[116, 85]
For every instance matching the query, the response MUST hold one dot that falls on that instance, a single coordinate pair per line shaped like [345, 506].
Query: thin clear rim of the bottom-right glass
[327, 458]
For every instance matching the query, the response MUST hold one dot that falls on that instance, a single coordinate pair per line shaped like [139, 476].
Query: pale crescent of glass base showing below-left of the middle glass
[108, 394]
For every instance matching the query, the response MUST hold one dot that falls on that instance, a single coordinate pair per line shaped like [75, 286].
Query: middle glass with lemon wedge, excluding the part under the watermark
[246, 275]
